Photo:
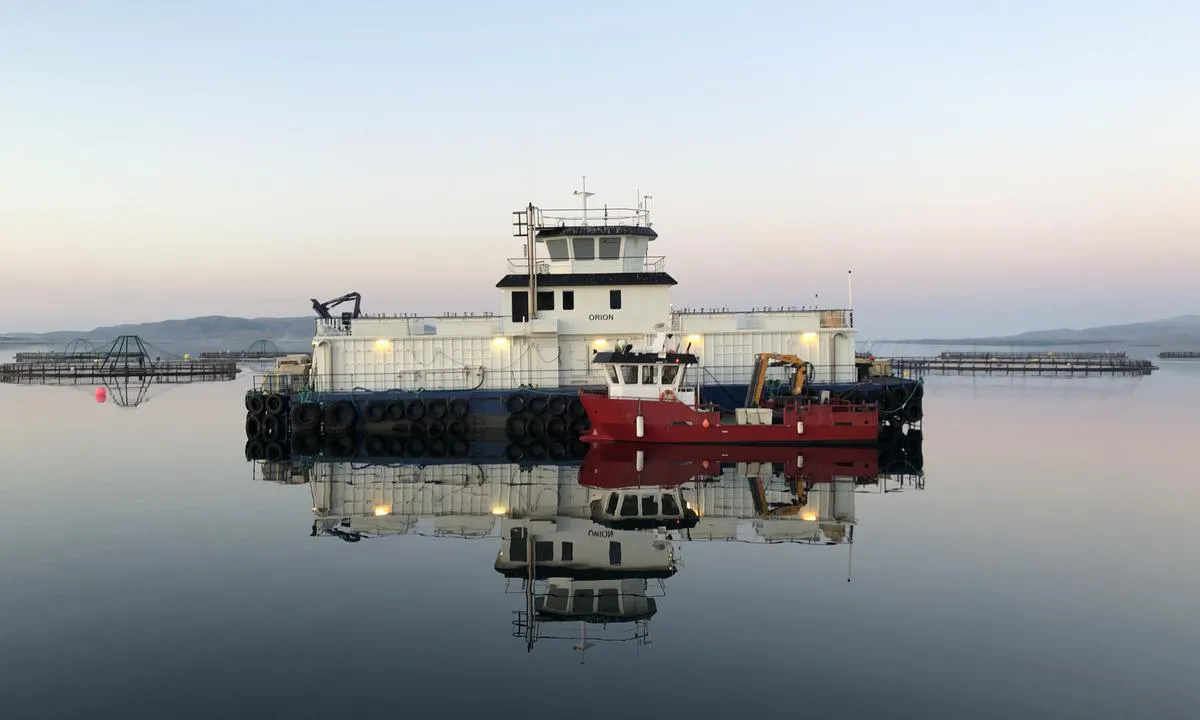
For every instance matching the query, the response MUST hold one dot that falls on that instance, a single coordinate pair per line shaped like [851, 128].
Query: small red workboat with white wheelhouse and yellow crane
[649, 400]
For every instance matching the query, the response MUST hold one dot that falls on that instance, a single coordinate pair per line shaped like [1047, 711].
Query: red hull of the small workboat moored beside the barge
[673, 422]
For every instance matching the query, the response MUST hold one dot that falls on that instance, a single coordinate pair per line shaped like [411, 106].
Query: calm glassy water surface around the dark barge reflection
[1045, 569]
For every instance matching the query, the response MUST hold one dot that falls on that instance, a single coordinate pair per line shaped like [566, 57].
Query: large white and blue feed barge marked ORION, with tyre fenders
[585, 285]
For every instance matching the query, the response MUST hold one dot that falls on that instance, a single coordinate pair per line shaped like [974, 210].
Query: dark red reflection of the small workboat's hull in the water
[632, 465]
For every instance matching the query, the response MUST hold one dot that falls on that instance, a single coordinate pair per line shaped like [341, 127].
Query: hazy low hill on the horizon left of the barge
[191, 335]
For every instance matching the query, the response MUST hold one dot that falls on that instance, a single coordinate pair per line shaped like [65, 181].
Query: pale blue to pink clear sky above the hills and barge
[982, 167]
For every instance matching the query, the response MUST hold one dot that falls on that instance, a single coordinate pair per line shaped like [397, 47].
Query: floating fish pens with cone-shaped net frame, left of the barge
[128, 357]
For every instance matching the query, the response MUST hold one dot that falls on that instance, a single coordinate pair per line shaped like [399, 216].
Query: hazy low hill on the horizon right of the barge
[1181, 332]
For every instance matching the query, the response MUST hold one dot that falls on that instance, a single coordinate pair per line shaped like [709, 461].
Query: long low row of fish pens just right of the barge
[1051, 363]
